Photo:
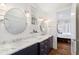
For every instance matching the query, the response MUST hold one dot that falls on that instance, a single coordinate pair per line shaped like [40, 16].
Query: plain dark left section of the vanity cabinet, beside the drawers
[32, 50]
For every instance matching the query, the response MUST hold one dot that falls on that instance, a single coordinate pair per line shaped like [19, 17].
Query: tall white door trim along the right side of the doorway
[73, 31]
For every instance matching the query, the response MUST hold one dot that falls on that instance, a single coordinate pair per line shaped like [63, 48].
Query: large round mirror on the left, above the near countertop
[15, 21]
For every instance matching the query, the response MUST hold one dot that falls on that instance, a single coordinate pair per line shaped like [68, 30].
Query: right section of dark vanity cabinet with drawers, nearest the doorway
[45, 46]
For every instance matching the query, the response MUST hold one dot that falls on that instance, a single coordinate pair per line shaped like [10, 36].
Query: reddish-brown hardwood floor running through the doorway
[63, 48]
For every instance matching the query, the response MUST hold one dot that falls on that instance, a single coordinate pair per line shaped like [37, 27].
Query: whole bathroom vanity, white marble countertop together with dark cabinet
[33, 45]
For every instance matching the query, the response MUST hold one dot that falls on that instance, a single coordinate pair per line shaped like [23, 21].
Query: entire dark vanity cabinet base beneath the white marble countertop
[41, 48]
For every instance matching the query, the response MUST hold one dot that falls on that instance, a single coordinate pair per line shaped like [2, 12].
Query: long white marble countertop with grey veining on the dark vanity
[10, 48]
